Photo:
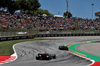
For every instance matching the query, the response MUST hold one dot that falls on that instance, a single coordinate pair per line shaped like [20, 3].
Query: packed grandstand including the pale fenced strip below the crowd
[35, 25]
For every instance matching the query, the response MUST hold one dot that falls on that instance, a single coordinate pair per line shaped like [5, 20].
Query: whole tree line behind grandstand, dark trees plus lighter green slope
[26, 6]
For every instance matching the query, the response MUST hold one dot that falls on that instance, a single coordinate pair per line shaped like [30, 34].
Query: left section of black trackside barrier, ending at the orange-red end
[16, 37]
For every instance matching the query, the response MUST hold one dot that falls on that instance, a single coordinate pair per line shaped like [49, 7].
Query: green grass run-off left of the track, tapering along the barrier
[6, 46]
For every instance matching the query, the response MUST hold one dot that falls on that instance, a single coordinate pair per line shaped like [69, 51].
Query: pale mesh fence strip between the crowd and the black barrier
[53, 32]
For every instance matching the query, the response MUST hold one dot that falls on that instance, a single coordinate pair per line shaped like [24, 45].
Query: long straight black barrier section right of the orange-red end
[62, 35]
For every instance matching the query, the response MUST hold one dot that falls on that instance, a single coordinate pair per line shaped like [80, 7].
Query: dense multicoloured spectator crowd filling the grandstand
[45, 23]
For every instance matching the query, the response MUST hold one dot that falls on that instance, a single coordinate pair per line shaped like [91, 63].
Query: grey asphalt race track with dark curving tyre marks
[27, 52]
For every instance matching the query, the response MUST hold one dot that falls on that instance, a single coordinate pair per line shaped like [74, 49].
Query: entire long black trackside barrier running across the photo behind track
[44, 35]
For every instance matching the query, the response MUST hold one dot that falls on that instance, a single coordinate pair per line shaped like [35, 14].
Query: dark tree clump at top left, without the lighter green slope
[13, 5]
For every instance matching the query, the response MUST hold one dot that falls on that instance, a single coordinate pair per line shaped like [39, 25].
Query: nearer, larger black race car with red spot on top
[45, 56]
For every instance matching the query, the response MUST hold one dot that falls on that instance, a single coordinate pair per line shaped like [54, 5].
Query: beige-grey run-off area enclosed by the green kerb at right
[93, 49]
